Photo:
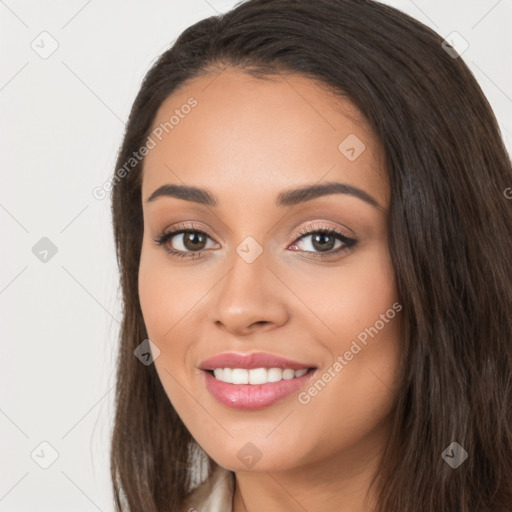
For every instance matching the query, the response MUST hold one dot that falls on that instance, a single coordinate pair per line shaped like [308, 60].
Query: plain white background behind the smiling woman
[62, 123]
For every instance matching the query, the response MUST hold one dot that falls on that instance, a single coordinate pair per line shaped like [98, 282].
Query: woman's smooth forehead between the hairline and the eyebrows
[233, 133]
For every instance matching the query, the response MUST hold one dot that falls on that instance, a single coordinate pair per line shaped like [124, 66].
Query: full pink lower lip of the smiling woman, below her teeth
[253, 396]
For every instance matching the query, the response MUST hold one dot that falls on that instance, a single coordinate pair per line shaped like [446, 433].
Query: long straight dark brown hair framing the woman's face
[450, 238]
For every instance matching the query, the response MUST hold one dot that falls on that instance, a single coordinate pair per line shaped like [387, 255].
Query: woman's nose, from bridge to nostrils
[250, 297]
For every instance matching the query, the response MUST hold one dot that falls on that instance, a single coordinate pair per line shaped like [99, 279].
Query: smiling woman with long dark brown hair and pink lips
[314, 243]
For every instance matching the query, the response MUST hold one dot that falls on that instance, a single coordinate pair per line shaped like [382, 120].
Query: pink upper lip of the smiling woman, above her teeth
[248, 361]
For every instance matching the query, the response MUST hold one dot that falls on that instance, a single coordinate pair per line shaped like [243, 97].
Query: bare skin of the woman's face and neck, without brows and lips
[247, 140]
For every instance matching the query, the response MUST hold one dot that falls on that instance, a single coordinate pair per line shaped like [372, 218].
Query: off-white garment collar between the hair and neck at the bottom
[215, 494]
